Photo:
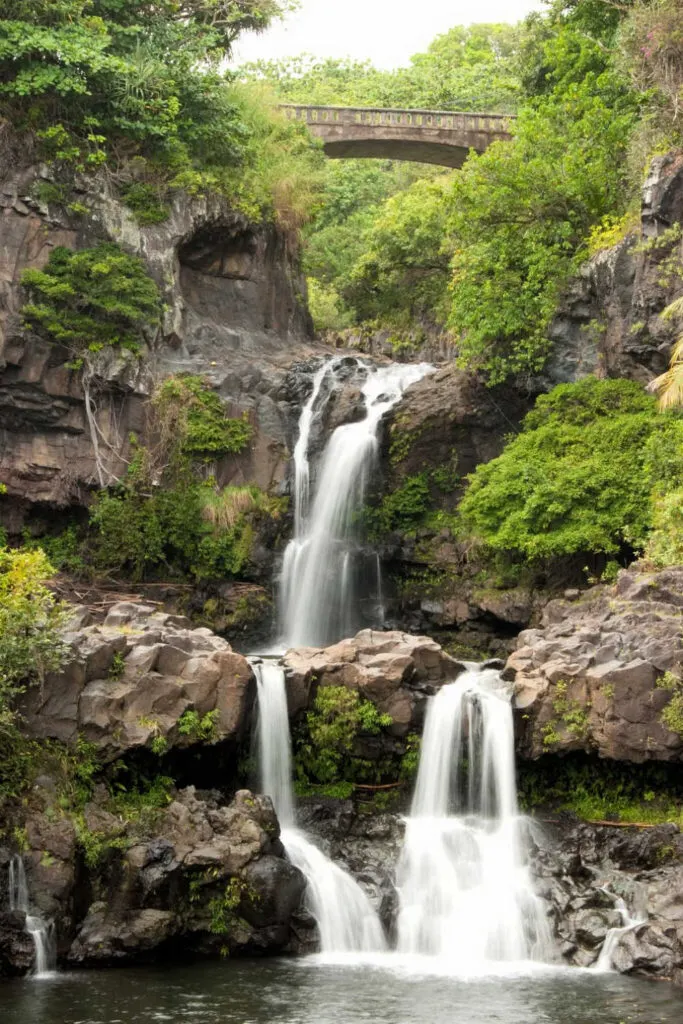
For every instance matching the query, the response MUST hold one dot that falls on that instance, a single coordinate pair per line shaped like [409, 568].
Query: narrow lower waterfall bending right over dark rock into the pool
[346, 917]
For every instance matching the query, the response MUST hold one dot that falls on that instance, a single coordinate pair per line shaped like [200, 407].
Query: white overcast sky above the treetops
[387, 31]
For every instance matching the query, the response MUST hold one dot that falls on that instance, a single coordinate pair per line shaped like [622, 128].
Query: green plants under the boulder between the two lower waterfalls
[325, 751]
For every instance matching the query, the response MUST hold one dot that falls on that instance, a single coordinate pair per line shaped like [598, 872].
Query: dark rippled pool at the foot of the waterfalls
[310, 993]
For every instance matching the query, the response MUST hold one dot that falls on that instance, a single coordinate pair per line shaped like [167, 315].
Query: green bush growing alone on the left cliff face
[91, 300]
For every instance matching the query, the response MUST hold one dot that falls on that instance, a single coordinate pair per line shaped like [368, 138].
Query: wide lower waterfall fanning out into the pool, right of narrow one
[465, 892]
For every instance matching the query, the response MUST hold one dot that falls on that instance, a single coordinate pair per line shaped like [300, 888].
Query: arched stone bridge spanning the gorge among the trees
[426, 137]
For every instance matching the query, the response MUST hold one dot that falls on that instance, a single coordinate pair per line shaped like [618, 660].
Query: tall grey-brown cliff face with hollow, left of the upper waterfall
[235, 314]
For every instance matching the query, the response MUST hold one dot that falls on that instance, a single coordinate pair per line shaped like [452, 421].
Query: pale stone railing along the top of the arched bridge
[445, 120]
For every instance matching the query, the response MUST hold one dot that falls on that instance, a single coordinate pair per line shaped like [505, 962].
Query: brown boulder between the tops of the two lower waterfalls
[395, 671]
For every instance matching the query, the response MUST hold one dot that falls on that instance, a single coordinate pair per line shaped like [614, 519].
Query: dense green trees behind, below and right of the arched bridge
[483, 253]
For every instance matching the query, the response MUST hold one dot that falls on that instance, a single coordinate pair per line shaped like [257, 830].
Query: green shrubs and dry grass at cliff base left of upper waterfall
[188, 525]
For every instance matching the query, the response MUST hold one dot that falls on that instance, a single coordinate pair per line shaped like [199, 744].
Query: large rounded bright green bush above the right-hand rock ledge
[580, 477]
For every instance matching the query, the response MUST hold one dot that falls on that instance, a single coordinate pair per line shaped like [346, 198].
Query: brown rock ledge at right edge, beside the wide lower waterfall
[587, 680]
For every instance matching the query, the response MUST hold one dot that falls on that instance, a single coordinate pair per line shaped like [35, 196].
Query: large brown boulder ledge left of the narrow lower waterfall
[130, 681]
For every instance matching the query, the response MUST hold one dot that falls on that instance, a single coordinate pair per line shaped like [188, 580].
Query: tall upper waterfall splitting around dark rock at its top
[321, 567]
